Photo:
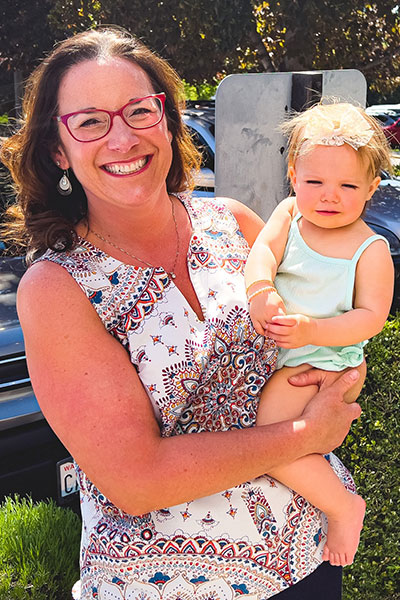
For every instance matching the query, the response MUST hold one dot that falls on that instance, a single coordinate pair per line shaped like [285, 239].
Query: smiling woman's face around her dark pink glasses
[127, 167]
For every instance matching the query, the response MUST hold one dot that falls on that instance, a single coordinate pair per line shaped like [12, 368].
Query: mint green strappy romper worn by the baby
[318, 286]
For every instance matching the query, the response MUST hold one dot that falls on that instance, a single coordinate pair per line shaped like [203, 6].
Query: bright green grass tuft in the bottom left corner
[39, 550]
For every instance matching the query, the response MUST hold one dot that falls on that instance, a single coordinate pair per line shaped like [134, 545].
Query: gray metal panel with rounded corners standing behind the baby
[250, 159]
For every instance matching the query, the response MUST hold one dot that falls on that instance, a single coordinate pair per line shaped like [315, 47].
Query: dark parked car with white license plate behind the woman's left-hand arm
[32, 459]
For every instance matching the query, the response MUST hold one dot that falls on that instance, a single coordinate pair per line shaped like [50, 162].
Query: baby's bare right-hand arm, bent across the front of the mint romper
[373, 297]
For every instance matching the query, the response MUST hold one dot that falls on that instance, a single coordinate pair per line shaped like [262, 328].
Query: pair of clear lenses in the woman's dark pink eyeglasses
[90, 125]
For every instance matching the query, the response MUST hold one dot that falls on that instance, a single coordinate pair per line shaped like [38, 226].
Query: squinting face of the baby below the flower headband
[332, 185]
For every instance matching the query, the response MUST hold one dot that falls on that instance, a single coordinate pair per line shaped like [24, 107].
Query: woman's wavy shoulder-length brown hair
[42, 218]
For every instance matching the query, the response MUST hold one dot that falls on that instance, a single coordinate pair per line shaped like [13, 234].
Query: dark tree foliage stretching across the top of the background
[205, 39]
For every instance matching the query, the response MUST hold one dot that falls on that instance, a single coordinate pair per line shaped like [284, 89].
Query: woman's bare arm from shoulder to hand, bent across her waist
[93, 399]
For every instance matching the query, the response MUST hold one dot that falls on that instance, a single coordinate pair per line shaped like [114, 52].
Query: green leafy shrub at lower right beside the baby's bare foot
[371, 452]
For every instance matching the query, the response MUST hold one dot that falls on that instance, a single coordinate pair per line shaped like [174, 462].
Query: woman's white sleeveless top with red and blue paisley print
[253, 540]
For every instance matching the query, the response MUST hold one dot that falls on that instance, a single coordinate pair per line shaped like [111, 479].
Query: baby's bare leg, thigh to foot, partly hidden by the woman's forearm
[312, 476]
